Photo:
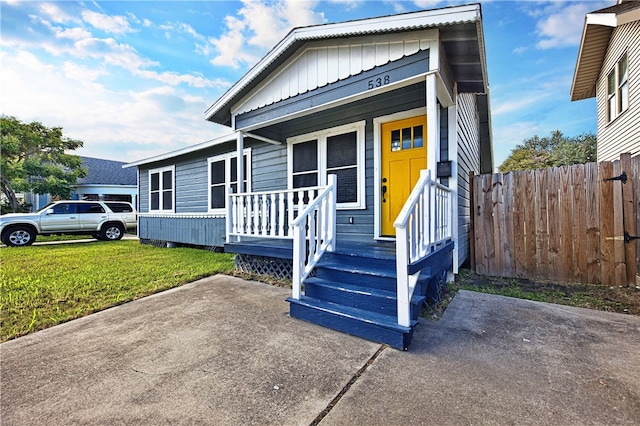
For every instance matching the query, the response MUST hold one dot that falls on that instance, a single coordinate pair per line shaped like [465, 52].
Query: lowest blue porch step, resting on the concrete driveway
[358, 322]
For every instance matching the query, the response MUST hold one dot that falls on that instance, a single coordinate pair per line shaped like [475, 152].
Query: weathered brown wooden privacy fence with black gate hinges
[569, 224]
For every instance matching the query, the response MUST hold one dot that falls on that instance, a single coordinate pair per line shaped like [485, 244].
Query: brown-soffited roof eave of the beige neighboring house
[596, 34]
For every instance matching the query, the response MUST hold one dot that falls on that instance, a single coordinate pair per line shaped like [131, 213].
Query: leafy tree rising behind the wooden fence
[551, 151]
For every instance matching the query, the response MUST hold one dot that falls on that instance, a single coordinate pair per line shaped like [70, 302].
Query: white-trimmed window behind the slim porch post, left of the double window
[223, 174]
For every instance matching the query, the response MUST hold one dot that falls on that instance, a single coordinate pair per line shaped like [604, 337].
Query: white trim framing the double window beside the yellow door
[321, 136]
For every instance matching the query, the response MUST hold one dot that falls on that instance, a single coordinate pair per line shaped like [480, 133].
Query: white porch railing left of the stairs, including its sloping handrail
[305, 215]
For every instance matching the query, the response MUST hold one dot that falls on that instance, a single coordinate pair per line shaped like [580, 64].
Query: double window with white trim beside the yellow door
[340, 151]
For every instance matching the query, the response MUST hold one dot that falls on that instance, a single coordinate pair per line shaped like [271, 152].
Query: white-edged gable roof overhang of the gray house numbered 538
[463, 43]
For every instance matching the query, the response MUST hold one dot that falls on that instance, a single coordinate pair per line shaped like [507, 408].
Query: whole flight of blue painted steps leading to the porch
[354, 290]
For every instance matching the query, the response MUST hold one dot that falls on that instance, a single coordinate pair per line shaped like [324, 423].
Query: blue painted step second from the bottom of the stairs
[360, 296]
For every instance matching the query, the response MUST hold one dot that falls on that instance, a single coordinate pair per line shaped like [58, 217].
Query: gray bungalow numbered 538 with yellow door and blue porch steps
[356, 140]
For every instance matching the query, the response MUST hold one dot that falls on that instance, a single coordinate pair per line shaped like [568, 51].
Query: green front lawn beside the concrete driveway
[41, 286]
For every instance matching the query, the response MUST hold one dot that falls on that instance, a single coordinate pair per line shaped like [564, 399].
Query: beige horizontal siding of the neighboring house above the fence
[623, 133]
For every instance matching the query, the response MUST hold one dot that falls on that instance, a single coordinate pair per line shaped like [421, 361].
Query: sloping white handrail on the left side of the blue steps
[314, 233]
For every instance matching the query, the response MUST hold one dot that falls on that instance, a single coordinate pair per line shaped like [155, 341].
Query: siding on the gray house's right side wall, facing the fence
[468, 136]
